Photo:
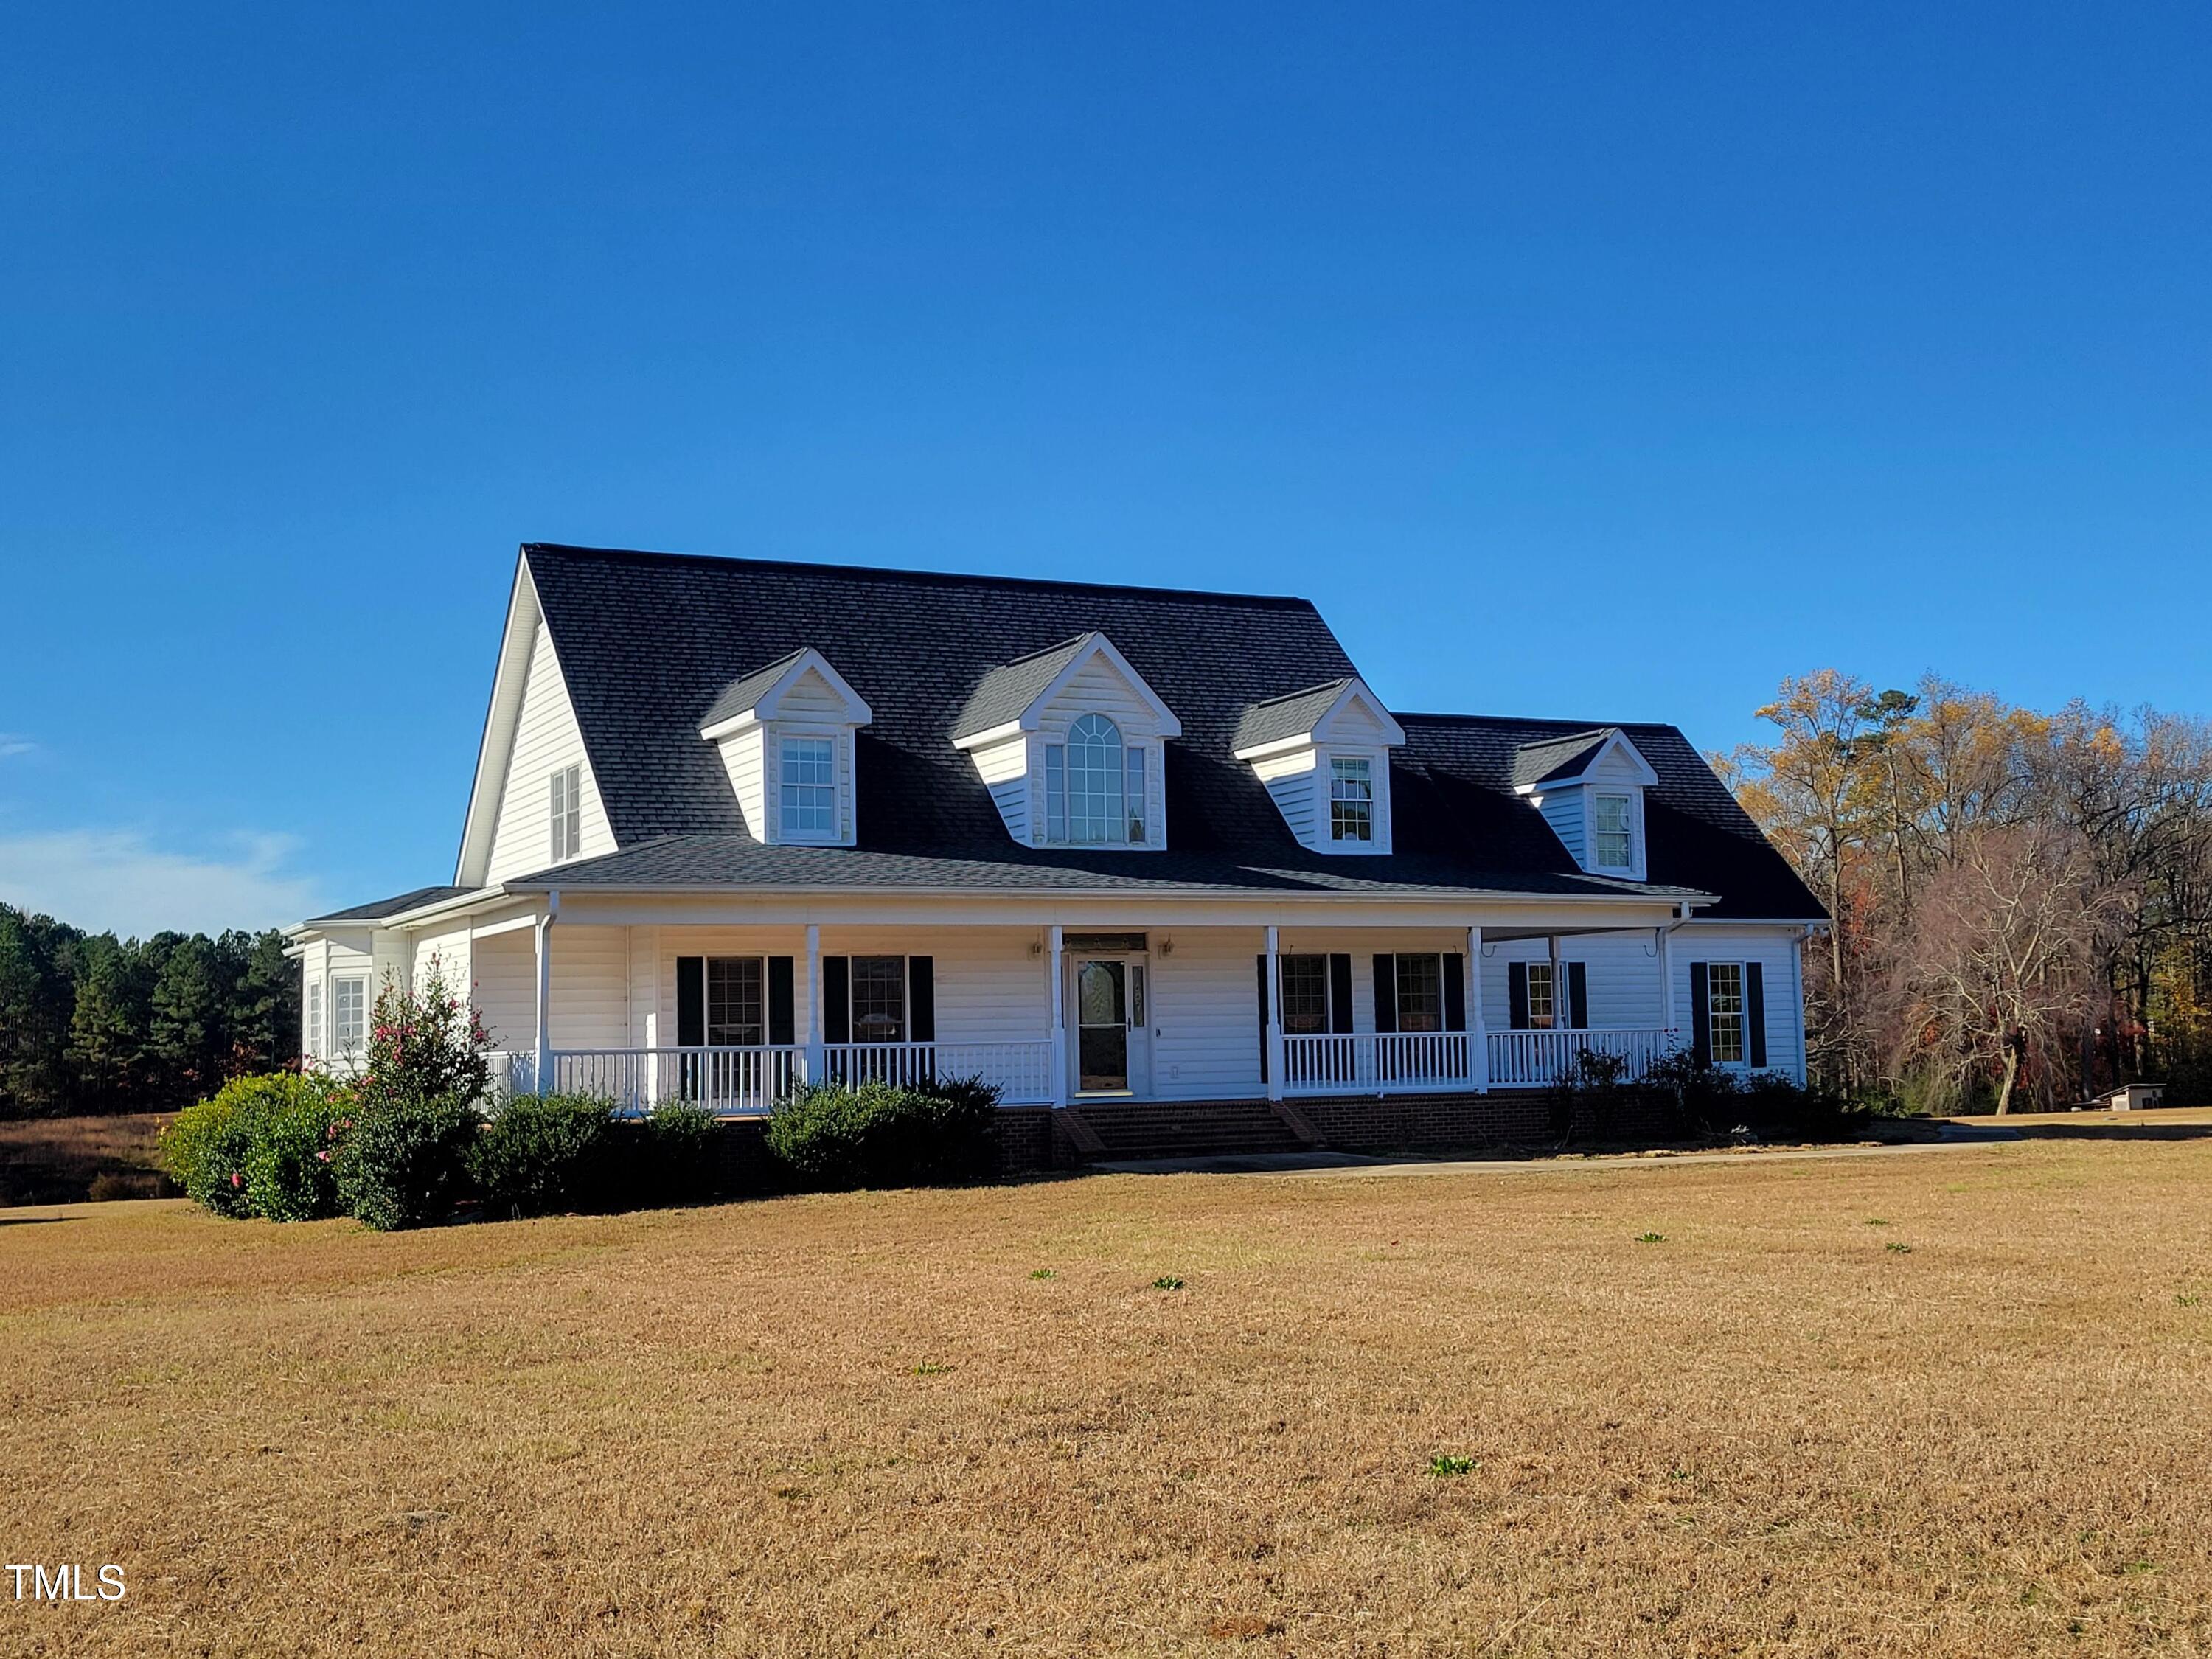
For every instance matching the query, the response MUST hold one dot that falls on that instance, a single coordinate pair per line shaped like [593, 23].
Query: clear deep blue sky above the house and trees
[1596, 362]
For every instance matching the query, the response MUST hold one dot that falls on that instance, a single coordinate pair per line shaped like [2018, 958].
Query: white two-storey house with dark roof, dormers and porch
[740, 824]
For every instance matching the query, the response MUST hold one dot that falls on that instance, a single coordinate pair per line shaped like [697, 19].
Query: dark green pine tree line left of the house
[101, 1025]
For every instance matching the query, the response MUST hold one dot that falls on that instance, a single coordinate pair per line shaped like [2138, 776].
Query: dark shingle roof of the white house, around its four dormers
[649, 643]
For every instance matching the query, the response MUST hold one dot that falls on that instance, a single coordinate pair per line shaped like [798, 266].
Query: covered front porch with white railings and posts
[1052, 1014]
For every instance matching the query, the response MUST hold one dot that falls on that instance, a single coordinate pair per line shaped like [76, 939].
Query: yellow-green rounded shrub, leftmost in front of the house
[262, 1147]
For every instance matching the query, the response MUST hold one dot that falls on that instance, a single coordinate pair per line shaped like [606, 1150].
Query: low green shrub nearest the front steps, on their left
[848, 1136]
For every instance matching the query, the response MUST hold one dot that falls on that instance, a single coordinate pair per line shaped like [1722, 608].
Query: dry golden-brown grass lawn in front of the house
[1928, 1401]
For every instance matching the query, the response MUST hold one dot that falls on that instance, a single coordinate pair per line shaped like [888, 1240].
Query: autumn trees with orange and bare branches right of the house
[2023, 904]
